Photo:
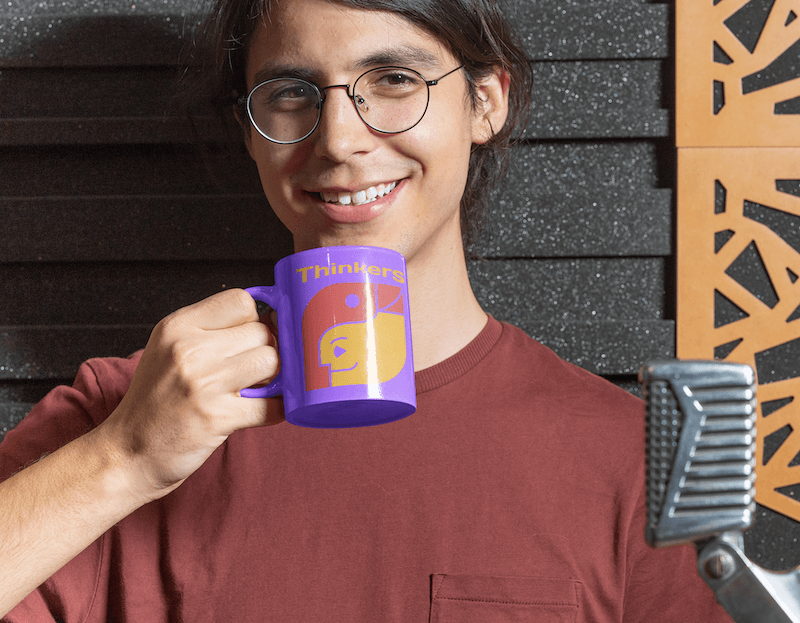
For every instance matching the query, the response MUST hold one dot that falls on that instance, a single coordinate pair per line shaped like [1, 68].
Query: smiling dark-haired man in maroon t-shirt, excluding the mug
[514, 492]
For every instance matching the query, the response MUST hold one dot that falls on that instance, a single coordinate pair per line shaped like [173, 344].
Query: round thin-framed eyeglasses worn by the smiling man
[389, 100]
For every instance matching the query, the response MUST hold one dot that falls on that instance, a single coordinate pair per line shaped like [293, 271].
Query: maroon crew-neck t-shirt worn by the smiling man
[514, 493]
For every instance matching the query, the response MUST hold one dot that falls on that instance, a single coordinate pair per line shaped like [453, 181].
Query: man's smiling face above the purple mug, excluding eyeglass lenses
[333, 44]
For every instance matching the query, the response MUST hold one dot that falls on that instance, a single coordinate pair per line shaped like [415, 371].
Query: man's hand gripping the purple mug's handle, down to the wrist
[184, 401]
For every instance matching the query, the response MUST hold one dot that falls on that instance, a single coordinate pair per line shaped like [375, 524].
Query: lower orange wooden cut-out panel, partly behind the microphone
[741, 207]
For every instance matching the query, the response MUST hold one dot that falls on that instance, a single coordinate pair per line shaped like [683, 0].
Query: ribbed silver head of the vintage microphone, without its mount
[700, 442]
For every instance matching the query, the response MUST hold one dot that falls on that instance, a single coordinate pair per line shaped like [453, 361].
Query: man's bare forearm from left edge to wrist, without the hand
[54, 509]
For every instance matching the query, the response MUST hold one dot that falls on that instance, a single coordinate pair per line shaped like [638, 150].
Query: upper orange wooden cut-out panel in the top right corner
[756, 69]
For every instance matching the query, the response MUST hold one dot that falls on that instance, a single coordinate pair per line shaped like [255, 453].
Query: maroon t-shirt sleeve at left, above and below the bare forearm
[65, 414]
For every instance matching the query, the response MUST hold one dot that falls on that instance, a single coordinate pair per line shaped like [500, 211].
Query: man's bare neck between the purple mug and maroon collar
[445, 315]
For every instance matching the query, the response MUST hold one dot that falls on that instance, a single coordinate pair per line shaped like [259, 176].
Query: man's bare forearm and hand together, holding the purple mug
[180, 406]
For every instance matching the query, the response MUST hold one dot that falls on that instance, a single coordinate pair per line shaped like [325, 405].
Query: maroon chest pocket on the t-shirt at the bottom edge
[490, 599]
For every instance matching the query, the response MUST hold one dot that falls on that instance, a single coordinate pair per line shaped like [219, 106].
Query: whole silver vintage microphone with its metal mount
[700, 426]
